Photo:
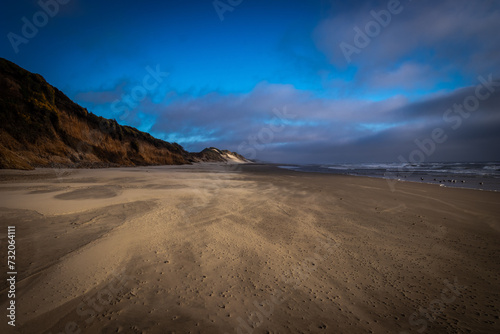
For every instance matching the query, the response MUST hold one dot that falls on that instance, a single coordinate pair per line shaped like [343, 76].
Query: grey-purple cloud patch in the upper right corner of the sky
[443, 37]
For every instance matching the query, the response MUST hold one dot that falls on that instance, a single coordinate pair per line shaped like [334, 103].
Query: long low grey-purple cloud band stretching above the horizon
[319, 131]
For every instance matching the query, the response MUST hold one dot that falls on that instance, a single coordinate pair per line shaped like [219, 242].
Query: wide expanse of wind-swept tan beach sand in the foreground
[249, 249]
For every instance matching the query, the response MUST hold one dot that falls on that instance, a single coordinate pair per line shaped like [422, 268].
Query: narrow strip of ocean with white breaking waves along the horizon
[474, 175]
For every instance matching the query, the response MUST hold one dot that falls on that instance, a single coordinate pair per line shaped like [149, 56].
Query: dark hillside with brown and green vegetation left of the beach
[42, 127]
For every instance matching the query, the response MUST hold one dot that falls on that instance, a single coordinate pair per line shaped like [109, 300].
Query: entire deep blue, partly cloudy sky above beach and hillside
[312, 81]
